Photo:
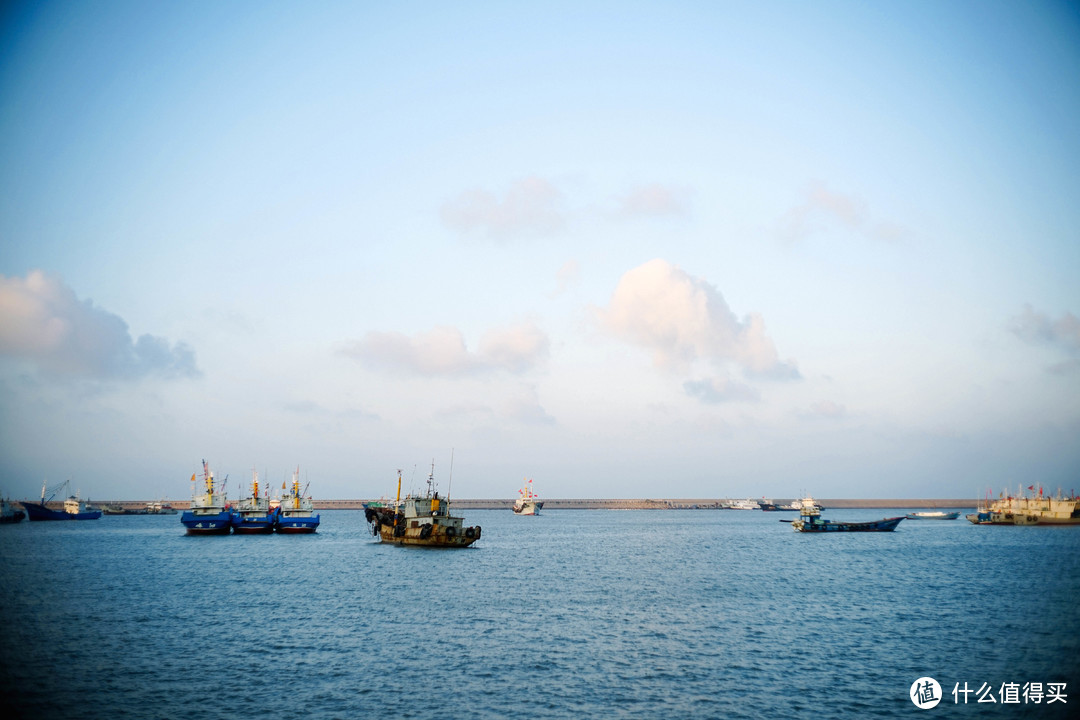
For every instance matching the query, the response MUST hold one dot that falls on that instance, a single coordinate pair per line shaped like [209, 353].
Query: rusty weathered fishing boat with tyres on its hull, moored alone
[423, 521]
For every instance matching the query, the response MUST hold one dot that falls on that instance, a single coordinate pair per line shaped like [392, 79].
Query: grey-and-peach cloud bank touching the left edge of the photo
[43, 321]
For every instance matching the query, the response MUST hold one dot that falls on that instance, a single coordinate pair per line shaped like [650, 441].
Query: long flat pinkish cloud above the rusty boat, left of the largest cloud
[443, 354]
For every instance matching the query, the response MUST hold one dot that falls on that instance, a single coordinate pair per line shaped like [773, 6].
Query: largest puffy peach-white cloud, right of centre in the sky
[684, 320]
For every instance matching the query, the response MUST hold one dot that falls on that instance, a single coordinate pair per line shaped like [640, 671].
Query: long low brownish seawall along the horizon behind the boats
[600, 504]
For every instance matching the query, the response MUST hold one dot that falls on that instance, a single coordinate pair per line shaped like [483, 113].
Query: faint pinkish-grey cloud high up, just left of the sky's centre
[531, 207]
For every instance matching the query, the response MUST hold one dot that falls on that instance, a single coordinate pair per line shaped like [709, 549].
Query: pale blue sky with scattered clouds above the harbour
[627, 250]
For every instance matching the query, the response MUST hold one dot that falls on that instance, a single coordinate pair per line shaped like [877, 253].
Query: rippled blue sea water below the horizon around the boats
[569, 615]
